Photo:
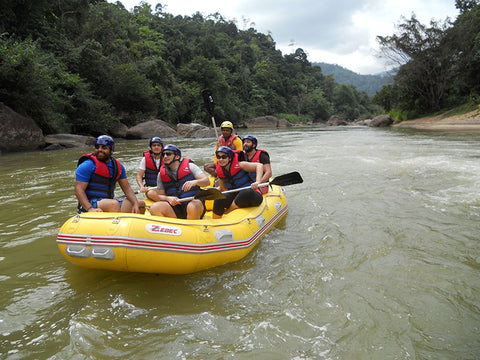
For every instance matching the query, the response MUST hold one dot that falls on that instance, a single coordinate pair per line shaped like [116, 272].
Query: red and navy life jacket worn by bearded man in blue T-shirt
[101, 184]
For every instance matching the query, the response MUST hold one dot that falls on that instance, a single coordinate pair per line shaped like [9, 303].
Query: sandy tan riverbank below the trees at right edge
[459, 122]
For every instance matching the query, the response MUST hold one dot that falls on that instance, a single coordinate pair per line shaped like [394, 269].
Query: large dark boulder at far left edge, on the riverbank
[18, 132]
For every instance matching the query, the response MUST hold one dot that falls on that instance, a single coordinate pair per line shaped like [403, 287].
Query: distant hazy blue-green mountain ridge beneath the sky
[368, 83]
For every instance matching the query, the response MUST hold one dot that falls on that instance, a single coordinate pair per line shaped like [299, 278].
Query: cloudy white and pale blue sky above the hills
[339, 32]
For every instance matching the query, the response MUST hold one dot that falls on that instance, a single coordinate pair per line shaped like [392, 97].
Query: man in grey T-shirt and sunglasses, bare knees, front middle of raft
[178, 179]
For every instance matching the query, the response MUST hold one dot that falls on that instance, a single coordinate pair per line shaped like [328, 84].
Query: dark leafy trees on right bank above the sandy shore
[438, 65]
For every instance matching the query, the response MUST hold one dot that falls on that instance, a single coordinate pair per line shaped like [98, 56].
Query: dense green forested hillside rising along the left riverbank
[84, 66]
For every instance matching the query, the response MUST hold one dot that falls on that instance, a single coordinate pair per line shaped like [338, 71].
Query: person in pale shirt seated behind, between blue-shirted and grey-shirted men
[150, 165]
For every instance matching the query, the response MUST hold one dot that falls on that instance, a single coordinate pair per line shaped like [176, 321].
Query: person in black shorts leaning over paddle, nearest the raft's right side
[234, 174]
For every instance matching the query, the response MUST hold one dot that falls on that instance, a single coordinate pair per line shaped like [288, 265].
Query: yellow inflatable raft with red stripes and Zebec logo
[152, 244]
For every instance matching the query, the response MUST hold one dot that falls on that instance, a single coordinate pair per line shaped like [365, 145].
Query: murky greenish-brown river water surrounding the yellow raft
[378, 258]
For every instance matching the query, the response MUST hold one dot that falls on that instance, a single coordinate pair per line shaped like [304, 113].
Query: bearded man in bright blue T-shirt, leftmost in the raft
[96, 176]
